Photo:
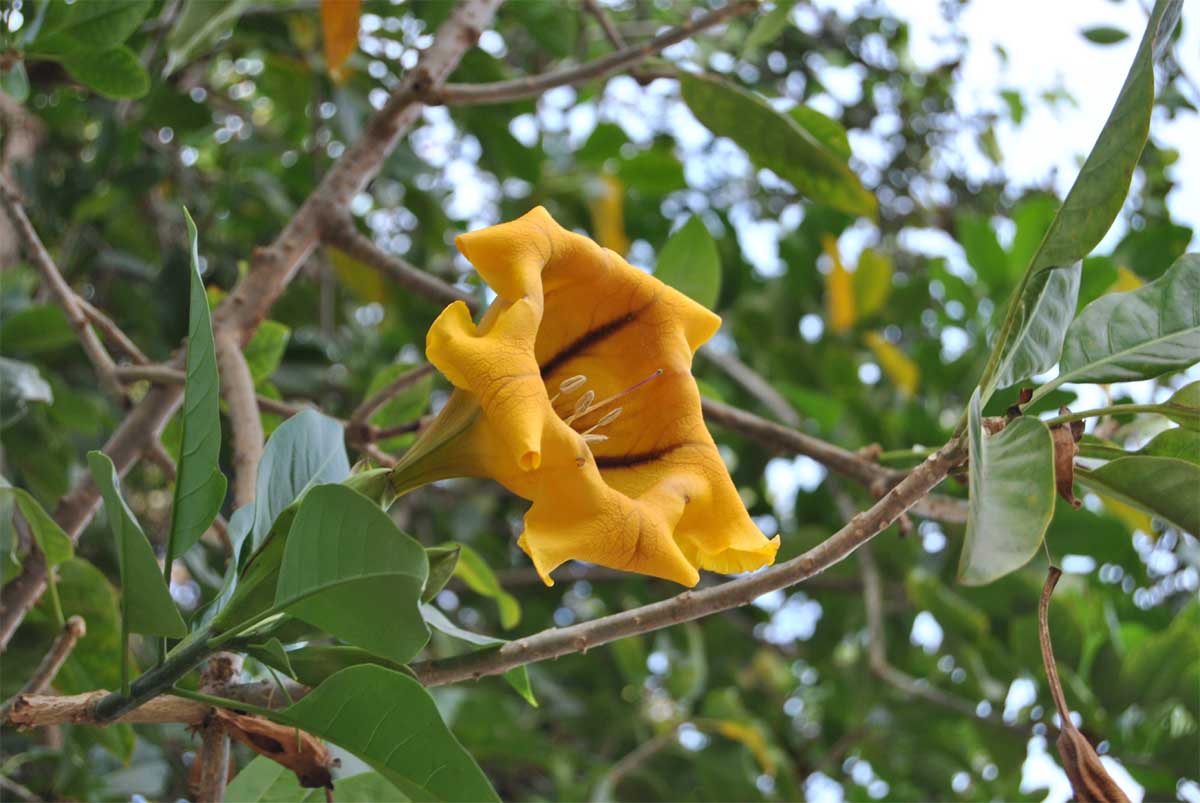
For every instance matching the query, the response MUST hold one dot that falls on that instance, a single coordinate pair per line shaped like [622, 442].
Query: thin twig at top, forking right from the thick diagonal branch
[521, 88]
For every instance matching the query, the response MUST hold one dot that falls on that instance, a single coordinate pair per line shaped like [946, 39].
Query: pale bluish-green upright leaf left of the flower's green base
[305, 451]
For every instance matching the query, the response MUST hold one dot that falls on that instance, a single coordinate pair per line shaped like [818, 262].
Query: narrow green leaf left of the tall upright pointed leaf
[147, 606]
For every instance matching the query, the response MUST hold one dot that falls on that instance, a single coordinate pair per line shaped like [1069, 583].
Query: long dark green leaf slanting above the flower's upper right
[777, 142]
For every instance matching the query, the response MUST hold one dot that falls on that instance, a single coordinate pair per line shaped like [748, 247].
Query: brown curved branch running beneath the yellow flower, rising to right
[694, 606]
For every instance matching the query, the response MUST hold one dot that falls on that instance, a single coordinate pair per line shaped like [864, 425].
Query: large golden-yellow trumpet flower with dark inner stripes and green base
[575, 392]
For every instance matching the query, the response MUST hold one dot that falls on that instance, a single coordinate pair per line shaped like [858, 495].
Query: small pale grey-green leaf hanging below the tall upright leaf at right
[1046, 311]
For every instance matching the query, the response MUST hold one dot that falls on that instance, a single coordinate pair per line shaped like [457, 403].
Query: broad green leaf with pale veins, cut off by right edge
[1141, 334]
